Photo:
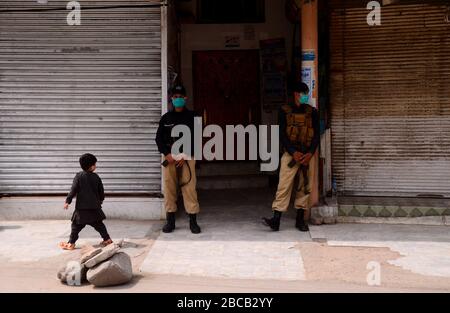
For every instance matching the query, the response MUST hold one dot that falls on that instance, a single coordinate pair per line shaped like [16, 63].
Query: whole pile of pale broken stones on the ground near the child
[101, 267]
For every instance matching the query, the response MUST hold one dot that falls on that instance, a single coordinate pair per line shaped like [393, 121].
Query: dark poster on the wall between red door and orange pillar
[274, 73]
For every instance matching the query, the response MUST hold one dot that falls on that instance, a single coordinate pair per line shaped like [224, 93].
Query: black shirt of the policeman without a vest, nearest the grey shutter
[164, 139]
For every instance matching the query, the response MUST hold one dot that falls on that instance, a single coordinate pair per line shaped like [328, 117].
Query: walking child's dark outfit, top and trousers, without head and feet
[88, 188]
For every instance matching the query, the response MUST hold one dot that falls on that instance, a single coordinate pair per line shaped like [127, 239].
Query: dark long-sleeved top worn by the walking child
[88, 188]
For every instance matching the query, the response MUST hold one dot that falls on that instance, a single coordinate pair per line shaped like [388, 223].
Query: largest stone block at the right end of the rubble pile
[115, 271]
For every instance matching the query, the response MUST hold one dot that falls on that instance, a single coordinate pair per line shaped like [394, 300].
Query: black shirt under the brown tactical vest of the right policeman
[285, 142]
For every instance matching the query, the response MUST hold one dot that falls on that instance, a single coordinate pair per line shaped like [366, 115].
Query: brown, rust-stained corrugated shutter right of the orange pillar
[390, 99]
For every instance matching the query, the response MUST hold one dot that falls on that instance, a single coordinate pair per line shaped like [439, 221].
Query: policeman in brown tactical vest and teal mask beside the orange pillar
[299, 136]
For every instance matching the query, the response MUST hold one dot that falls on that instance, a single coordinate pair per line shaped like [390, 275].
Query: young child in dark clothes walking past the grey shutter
[88, 188]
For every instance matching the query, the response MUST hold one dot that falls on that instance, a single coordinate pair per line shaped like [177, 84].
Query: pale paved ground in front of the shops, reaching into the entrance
[236, 253]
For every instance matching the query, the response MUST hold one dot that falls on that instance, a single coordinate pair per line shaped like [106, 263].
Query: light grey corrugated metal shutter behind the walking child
[66, 90]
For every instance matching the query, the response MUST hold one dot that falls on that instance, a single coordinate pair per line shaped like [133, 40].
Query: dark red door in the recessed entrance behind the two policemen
[227, 89]
